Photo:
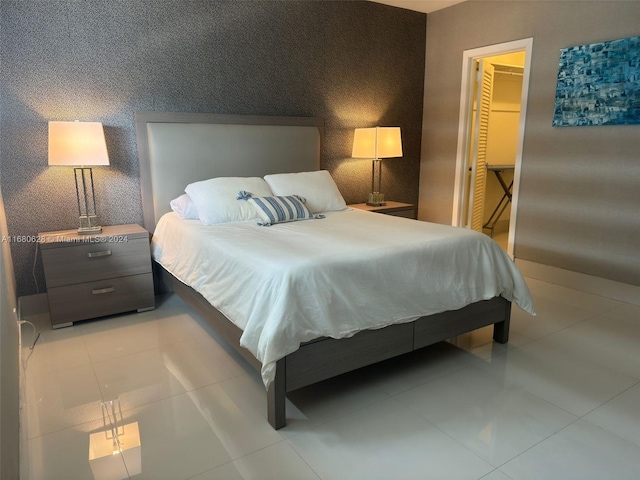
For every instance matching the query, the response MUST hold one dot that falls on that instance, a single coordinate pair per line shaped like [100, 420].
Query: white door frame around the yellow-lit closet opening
[466, 110]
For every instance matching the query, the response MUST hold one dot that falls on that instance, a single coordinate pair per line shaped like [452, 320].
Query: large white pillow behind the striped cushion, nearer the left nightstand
[216, 200]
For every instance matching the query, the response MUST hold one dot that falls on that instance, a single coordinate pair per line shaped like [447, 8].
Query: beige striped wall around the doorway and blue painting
[579, 195]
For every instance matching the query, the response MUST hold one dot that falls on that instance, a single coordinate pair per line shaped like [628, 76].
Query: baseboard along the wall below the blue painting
[623, 292]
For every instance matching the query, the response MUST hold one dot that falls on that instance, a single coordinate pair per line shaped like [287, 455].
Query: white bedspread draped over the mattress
[354, 270]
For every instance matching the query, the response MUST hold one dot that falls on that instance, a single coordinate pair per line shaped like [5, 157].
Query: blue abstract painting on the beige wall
[599, 84]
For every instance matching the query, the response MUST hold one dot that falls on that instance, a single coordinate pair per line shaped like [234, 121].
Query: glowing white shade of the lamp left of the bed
[77, 143]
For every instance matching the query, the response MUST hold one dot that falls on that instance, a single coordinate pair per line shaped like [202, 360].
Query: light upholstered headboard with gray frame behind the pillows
[175, 149]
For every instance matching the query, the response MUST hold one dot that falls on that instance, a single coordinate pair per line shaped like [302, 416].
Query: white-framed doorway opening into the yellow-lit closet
[494, 92]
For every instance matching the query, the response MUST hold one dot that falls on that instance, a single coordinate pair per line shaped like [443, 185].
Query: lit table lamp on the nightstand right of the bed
[377, 143]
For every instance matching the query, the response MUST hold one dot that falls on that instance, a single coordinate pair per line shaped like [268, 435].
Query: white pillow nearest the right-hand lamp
[317, 188]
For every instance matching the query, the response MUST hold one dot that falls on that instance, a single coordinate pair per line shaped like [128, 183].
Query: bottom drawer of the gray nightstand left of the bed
[104, 297]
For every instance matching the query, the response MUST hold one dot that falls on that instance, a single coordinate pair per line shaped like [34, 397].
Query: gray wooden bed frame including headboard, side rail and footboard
[318, 359]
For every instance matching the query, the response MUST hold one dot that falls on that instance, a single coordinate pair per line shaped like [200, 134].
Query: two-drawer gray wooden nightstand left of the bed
[91, 276]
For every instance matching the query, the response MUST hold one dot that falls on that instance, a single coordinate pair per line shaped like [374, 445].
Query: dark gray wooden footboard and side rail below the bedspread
[325, 358]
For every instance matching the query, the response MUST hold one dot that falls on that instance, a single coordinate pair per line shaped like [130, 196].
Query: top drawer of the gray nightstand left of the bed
[69, 265]
